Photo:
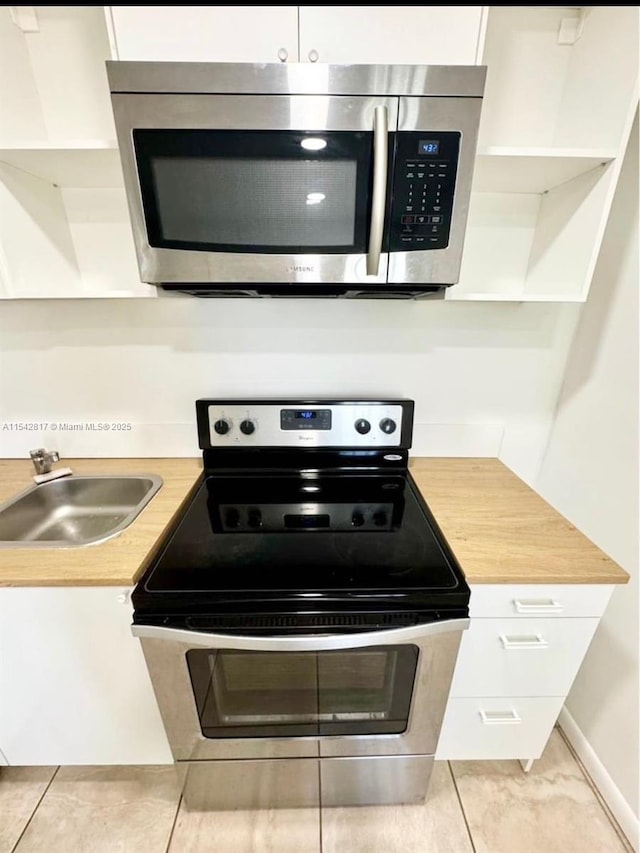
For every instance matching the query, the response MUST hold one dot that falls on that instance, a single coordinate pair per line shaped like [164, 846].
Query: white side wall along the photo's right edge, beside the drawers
[590, 473]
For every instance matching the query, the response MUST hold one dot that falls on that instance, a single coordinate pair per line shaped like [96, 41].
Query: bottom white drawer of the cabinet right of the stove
[510, 727]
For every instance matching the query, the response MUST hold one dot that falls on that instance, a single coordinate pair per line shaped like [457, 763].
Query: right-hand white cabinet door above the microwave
[416, 35]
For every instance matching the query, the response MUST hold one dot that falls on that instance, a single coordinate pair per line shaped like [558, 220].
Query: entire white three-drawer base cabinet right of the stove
[515, 667]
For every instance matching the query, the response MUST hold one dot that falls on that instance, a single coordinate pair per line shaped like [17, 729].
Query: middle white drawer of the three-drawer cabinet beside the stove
[521, 657]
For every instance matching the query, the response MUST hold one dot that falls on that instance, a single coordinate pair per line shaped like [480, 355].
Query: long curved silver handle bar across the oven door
[319, 643]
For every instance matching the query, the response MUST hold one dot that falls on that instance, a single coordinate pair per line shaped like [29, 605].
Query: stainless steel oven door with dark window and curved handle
[378, 693]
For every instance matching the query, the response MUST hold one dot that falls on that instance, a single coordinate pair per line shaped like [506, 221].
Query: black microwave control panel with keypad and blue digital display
[423, 190]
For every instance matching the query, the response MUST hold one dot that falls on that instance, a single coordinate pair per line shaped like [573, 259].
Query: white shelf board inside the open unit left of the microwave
[69, 163]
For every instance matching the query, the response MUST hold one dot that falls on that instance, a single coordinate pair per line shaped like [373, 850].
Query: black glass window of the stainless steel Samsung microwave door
[256, 191]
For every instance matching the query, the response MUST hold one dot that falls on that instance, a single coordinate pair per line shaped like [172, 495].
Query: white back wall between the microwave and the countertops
[485, 377]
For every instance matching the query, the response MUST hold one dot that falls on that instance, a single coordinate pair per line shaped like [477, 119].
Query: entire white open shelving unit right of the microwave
[555, 122]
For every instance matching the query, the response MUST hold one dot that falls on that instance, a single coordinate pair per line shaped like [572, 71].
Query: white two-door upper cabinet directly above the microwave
[349, 34]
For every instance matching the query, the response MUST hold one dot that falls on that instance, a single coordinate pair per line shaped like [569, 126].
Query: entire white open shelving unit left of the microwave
[65, 223]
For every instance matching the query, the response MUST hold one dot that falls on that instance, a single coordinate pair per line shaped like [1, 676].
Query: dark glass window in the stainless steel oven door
[289, 694]
